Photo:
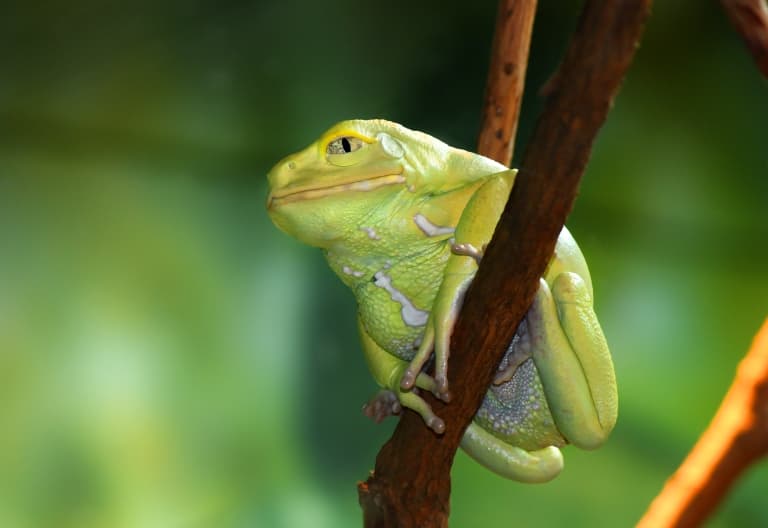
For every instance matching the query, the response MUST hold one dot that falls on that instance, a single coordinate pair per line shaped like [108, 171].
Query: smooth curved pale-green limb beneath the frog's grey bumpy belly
[509, 461]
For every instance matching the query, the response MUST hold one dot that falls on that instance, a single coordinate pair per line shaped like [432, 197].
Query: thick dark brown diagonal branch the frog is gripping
[411, 483]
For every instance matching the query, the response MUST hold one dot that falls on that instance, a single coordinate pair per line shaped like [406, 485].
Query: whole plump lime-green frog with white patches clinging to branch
[403, 219]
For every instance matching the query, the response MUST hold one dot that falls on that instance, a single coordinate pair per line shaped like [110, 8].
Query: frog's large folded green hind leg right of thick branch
[573, 360]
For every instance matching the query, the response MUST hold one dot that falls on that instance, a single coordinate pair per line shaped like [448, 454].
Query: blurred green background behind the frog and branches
[169, 359]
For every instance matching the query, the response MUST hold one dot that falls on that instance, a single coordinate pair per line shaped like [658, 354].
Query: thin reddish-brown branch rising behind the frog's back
[506, 79]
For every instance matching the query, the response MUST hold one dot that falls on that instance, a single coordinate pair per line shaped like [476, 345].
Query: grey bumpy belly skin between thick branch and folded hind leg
[517, 412]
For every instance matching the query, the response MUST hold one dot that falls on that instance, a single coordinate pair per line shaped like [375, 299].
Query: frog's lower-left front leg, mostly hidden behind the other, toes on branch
[388, 370]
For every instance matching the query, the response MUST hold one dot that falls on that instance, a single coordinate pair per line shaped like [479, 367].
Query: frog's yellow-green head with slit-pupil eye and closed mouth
[358, 168]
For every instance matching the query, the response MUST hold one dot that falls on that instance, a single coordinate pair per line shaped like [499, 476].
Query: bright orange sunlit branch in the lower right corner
[735, 439]
